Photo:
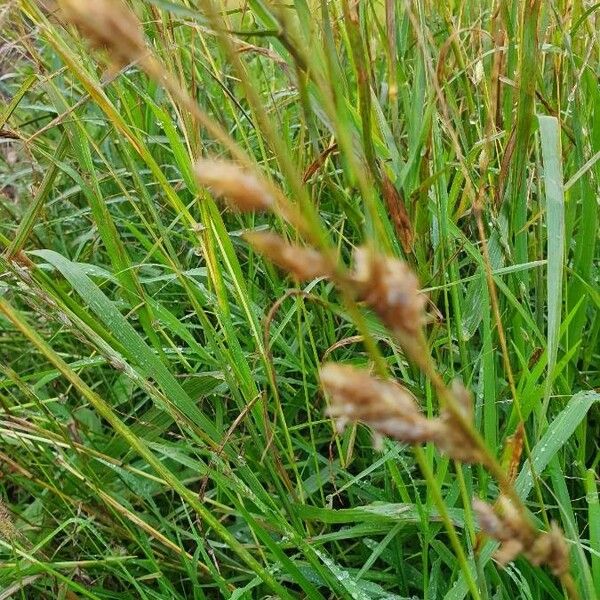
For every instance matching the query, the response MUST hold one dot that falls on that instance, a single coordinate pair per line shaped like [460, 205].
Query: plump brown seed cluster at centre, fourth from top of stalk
[391, 289]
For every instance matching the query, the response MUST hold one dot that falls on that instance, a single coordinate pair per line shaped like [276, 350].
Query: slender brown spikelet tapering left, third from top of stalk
[304, 264]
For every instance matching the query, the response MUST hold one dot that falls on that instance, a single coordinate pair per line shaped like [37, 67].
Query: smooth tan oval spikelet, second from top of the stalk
[243, 191]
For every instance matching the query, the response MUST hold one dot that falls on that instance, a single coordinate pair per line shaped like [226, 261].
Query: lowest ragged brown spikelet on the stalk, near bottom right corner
[516, 535]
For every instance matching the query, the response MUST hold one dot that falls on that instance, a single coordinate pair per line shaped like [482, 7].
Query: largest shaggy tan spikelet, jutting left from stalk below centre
[388, 408]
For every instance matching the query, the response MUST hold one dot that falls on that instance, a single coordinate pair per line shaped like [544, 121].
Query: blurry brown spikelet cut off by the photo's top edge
[108, 25]
